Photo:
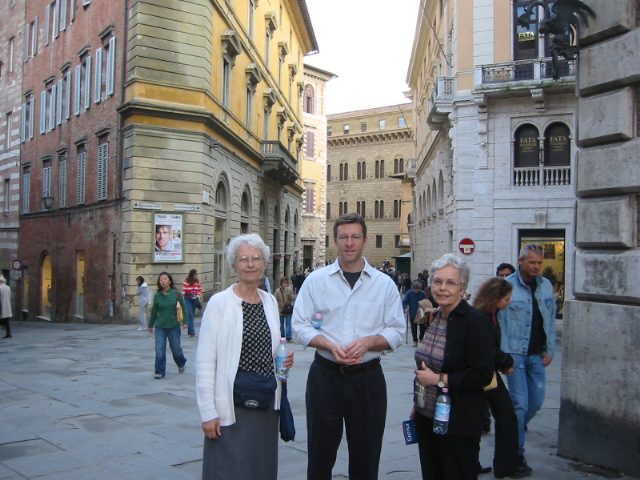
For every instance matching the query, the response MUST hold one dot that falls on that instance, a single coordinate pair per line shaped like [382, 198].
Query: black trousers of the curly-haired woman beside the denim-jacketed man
[505, 456]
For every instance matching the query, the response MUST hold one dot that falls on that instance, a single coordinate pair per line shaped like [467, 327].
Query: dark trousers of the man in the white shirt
[359, 402]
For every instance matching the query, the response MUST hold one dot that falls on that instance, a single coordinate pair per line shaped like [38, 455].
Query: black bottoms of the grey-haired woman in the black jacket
[446, 457]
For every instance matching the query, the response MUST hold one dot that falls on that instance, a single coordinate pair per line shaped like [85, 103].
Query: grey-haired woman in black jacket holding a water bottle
[457, 353]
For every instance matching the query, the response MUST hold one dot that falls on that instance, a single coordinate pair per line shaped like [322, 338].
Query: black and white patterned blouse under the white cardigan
[255, 355]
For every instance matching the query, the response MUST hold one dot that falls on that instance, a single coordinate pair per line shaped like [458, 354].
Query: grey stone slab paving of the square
[79, 401]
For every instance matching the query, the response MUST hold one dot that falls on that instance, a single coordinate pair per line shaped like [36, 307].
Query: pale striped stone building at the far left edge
[13, 53]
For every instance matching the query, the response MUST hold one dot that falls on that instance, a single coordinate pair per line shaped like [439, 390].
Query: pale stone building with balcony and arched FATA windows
[495, 156]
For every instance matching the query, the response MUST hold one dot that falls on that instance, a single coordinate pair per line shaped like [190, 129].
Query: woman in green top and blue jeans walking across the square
[167, 326]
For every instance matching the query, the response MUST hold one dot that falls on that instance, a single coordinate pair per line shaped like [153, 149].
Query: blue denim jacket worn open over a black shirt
[515, 320]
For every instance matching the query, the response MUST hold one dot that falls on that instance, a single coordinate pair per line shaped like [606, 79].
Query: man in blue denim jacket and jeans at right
[529, 335]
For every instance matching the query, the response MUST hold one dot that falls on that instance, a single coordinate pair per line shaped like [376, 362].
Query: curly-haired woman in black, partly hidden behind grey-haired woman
[494, 295]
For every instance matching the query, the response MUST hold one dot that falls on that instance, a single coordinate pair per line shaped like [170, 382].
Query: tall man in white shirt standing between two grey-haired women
[361, 316]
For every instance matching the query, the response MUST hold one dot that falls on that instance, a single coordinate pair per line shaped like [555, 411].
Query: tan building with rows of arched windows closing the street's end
[368, 153]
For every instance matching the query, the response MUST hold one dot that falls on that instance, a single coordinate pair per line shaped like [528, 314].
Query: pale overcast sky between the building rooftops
[367, 43]
